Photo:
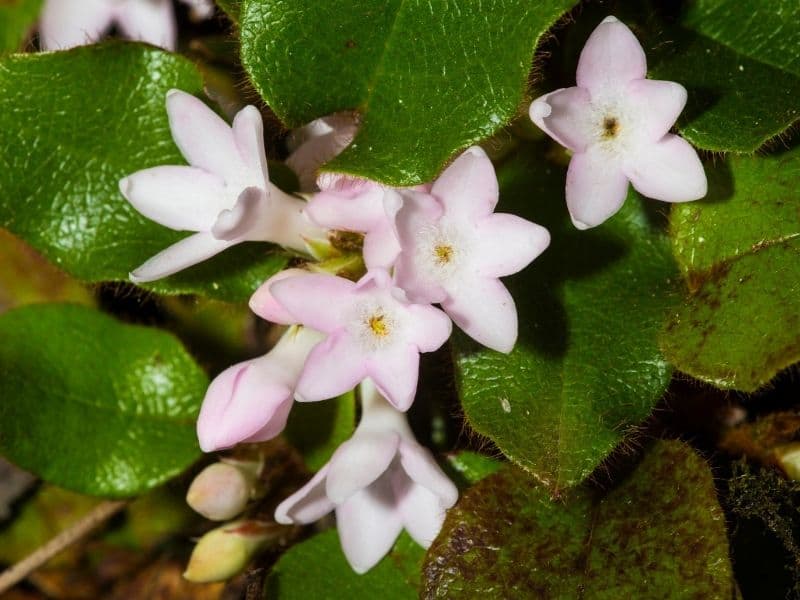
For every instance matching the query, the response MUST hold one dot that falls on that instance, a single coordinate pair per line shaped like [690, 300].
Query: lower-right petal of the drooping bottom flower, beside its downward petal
[422, 512]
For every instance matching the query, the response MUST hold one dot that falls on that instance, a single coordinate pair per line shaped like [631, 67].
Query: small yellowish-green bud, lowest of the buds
[223, 552]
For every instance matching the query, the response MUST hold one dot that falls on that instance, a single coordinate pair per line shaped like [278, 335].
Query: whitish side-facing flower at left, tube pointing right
[225, 195]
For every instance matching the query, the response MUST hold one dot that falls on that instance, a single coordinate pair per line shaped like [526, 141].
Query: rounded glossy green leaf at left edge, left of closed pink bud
[115, 404]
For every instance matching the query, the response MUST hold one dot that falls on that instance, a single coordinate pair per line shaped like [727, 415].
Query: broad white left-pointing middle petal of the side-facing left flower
[182, 198]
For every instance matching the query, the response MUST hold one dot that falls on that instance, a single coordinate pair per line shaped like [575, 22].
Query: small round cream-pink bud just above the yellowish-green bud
[221, 491]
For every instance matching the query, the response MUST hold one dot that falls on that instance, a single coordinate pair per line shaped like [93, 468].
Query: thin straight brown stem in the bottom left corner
[96, 517]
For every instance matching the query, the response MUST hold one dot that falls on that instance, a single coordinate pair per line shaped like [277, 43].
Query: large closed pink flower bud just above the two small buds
[250, 402]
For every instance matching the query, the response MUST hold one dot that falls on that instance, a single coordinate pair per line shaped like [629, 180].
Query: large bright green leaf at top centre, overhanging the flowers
[413, 68]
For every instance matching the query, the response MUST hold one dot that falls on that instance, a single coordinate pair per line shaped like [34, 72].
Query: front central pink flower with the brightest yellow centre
[372, 331]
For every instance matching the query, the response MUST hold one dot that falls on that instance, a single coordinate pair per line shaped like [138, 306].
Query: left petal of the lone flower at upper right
[562, 115]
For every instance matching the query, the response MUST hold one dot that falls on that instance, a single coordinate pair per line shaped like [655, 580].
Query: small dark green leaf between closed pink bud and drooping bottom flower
[316, 429]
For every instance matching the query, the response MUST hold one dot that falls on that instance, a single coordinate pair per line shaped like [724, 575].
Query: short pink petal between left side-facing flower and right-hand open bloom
[360, 212]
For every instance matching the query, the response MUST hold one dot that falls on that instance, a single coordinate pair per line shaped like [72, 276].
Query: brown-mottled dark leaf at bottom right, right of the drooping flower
[660, 532]
